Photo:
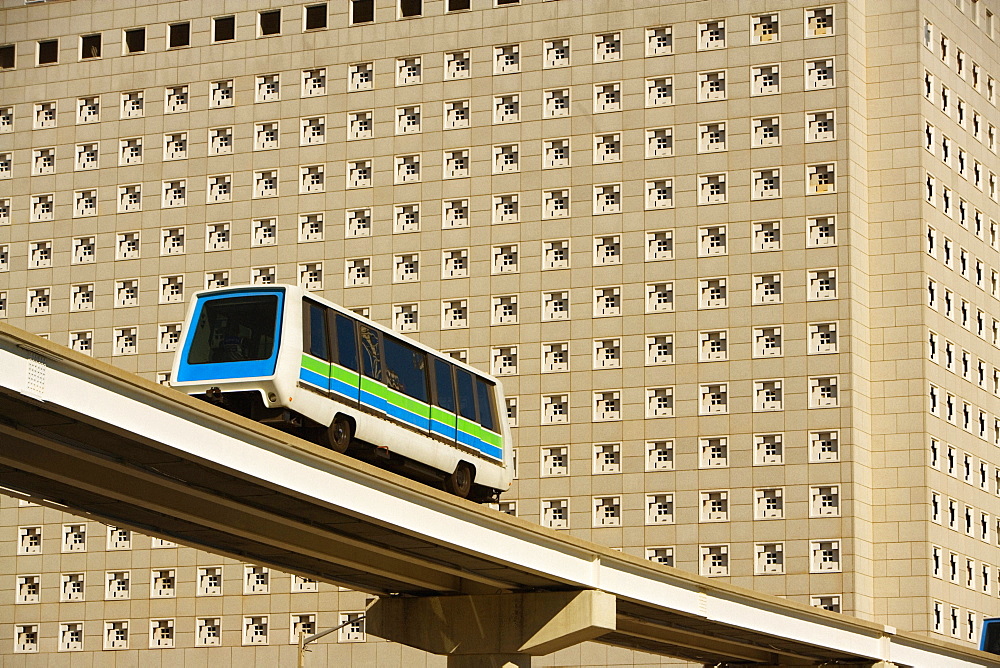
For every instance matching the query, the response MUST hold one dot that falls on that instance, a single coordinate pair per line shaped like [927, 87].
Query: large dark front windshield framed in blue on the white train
[238, 329]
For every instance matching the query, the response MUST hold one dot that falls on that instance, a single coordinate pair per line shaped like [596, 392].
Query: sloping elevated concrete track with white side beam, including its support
[475, 584]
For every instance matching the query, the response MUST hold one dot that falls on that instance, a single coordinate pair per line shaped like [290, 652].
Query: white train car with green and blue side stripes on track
[287, 358]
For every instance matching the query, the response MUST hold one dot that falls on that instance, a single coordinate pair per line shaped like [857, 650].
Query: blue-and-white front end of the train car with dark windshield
[231, 349]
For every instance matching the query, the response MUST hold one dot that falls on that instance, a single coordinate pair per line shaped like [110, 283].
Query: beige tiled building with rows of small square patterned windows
[735, 262]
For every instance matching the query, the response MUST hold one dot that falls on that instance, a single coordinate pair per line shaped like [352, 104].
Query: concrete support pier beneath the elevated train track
[494, 631]
